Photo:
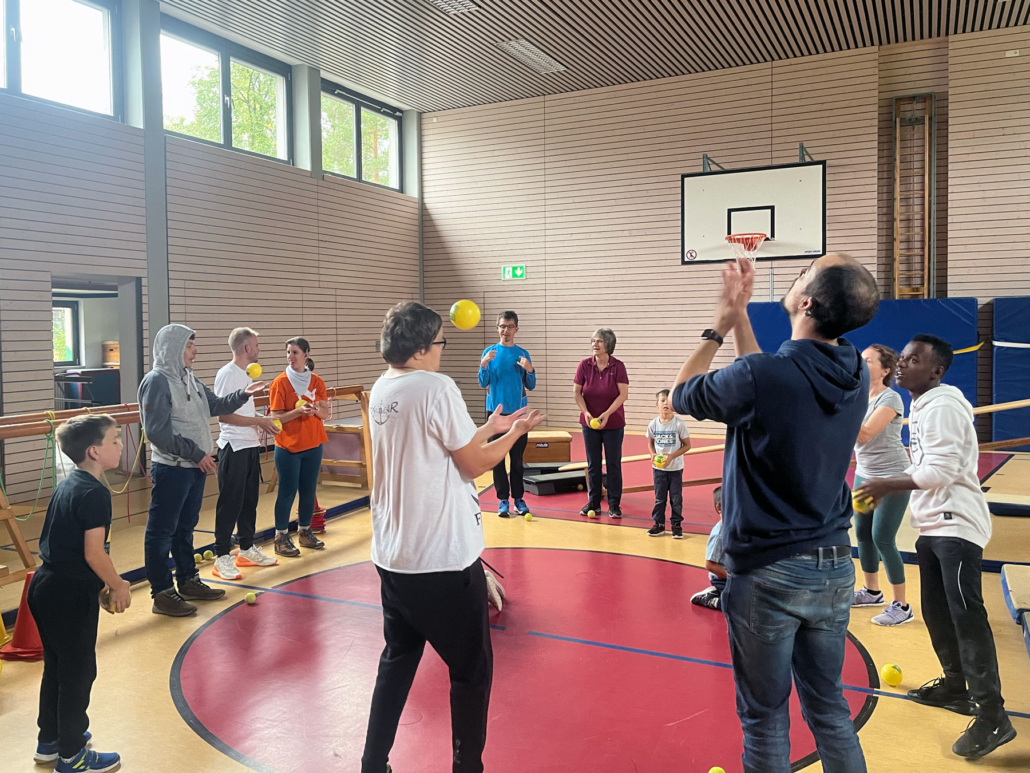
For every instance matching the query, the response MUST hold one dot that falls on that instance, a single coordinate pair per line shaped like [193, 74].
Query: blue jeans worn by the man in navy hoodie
[792, 619]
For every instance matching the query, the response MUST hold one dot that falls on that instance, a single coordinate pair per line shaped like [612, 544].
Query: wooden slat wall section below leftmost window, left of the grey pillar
[72, 197]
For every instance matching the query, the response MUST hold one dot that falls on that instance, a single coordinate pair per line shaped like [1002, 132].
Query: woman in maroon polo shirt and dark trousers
[602, 388]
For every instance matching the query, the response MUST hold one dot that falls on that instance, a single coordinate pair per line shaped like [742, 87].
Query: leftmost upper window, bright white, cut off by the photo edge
[64, 52]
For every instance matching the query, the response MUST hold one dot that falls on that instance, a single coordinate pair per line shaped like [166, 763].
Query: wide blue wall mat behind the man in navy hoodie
[896, 324]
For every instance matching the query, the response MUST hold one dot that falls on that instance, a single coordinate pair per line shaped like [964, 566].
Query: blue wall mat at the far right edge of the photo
[1012, 367]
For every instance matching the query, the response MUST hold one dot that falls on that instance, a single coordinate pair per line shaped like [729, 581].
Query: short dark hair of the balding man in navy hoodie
[844, 298]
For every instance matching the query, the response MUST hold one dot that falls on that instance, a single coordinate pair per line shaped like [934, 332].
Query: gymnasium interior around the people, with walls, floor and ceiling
[301, 167]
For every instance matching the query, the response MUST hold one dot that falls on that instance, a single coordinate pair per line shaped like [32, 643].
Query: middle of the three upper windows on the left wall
[220, 92]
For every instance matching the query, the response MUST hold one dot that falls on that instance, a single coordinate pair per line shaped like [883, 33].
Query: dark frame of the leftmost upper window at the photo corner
[13, 54]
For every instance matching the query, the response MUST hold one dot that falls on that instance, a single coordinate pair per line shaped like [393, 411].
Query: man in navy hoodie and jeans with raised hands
[793, 419]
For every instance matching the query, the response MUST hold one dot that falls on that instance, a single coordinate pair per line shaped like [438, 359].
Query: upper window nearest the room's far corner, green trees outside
[361, 139]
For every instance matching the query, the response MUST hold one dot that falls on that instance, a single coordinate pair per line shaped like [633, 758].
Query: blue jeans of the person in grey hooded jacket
[176, 501]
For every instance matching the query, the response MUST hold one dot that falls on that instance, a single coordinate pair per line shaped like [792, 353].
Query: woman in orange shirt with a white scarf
[298, 398]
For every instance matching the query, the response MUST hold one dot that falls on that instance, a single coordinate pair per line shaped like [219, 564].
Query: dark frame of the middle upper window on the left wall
[227, 52]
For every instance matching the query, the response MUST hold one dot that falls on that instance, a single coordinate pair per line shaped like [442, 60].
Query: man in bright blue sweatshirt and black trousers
[507, 372]
